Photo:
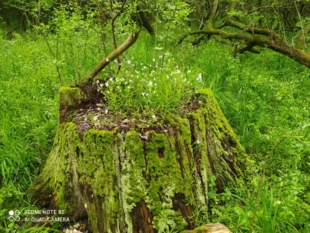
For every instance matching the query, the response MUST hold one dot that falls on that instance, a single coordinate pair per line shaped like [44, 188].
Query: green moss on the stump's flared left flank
[61, 162]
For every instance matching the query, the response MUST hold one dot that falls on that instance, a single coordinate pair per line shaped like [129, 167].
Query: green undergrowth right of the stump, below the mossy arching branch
[267, 104]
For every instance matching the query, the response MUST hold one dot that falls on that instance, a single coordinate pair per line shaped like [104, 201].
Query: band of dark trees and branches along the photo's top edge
[282, 26]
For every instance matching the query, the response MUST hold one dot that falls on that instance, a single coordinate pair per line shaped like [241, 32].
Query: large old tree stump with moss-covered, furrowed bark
[130, 178]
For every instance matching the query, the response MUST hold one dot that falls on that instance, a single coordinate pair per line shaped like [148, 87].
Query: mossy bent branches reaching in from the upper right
[252, 36]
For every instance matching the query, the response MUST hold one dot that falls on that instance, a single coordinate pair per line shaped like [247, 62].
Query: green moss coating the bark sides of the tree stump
[112, 172]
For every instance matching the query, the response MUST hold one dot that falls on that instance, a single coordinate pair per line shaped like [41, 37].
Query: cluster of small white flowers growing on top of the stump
[159, 83]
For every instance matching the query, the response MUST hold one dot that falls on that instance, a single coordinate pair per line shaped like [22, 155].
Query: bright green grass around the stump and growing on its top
[265, 98]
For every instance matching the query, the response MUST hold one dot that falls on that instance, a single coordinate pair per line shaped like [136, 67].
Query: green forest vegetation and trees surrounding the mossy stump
[263, 92]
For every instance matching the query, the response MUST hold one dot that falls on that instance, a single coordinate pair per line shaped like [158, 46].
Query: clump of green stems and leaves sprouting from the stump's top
[153, 89]
